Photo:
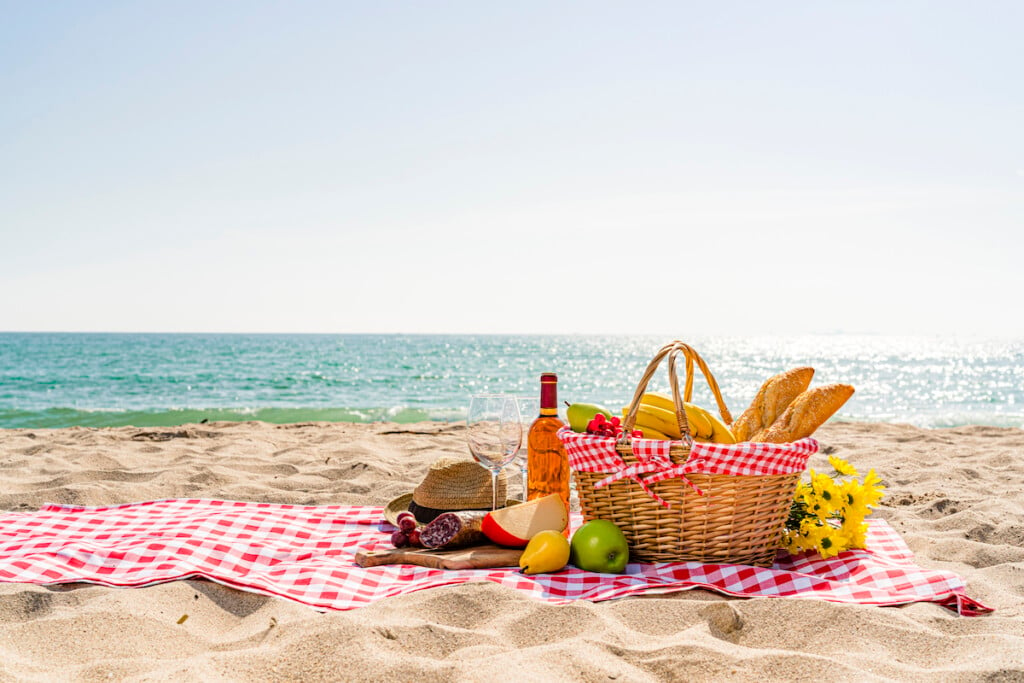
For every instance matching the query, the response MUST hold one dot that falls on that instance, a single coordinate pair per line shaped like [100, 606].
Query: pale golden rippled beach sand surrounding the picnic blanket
[957, 496]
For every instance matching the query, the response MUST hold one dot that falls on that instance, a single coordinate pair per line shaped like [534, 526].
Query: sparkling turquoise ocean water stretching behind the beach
[62, 380]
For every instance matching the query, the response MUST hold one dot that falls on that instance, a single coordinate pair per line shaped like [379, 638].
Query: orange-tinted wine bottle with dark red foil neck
[547, 464]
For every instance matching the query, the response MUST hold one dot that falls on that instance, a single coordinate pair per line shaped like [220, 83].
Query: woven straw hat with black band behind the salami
[451, 484]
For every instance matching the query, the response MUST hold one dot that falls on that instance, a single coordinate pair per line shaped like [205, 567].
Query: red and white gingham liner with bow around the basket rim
[589, 453]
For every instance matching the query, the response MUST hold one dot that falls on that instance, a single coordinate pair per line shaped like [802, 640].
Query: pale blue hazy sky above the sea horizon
[673, 168]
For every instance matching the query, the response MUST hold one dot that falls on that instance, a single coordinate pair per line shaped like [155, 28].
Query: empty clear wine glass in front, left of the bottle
[494, 432]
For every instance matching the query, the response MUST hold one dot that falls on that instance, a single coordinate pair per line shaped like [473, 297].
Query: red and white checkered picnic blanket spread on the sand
[306, 554]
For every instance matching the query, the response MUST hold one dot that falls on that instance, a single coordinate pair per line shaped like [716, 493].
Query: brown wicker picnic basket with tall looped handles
[739, 520]
